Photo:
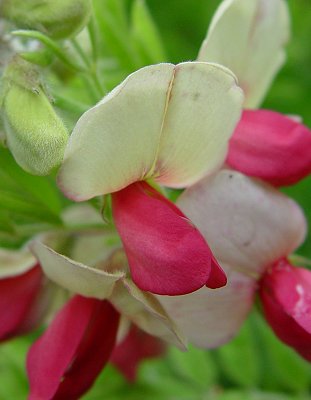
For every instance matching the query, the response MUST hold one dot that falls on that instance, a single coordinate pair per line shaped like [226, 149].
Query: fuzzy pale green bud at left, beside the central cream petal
[34, 133]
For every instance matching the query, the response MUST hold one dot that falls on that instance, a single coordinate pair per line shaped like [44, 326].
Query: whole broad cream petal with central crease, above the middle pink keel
[168, 122]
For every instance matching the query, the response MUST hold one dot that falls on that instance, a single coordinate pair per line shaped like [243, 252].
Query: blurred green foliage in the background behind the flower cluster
[128, 34]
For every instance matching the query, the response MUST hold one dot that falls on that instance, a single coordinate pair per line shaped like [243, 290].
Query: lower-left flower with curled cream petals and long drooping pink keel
[82, 336]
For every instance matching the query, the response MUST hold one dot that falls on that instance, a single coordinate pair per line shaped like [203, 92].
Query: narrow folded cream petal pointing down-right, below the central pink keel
[144, 310]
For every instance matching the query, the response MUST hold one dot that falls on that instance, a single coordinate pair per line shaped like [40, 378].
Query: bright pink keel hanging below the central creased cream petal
[166, 253]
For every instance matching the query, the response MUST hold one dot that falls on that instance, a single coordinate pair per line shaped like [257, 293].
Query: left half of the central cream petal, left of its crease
[114, 143]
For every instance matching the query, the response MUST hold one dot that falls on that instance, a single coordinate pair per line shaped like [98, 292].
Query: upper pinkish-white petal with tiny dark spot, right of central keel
[248, 224]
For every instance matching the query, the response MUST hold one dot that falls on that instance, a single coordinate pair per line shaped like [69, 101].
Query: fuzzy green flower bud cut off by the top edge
[58, 19]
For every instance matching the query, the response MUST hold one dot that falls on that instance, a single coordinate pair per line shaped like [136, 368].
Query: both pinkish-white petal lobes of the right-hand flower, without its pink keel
[250, 226]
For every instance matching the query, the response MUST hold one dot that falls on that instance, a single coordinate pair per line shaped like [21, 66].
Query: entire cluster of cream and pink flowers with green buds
[157, 272]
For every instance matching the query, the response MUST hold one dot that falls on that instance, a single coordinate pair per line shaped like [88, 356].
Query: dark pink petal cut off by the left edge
[17, 297]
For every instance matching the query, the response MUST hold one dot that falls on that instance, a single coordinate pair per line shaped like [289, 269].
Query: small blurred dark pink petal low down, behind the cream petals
[135, 348]
